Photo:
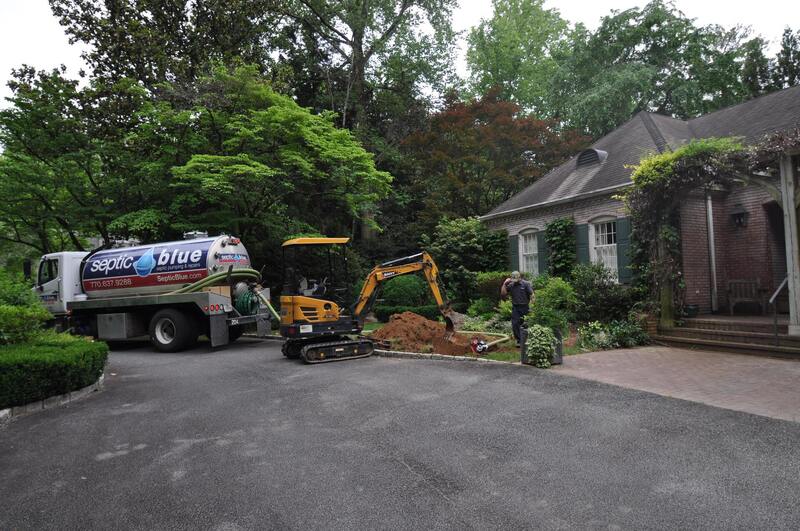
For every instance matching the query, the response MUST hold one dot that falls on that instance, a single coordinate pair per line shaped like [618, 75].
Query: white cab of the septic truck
[58, 280]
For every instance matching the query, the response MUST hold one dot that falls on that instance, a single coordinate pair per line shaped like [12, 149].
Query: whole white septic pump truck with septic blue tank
[172, 292]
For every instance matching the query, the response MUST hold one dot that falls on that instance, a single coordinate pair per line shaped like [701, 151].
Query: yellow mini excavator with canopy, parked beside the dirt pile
[317, 319]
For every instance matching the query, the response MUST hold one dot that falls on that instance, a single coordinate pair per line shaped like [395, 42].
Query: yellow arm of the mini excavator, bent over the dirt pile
[403, 266]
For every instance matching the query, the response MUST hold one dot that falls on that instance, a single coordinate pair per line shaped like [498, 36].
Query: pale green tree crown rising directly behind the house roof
[654, 59]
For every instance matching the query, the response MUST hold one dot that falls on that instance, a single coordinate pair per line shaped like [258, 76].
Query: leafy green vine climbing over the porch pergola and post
[663, 181]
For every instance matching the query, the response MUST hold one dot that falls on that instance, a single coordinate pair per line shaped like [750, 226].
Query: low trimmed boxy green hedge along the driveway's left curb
[52, 364]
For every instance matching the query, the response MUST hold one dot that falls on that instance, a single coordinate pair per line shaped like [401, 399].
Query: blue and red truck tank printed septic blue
[159, 267]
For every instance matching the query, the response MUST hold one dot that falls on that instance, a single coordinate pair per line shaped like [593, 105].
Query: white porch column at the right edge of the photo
[788, 186]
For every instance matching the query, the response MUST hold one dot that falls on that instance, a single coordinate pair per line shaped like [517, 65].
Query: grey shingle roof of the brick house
[648, 133]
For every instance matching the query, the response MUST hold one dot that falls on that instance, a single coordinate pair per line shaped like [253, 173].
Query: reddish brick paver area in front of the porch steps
[754, 384]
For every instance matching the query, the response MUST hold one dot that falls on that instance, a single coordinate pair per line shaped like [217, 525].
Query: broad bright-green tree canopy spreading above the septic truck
[231, 156]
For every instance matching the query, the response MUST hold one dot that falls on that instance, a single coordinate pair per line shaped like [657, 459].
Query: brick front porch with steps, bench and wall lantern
[741, 266]
